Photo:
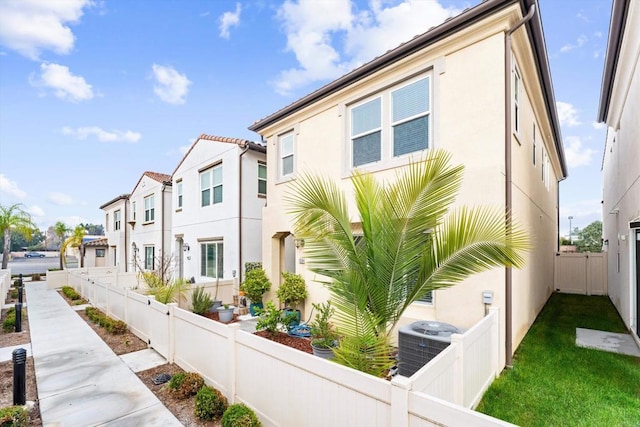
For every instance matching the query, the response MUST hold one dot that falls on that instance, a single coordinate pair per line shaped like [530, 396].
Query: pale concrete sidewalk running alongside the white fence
[81, 382]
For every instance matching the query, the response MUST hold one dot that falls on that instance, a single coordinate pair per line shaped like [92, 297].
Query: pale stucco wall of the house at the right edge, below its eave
[621, 173]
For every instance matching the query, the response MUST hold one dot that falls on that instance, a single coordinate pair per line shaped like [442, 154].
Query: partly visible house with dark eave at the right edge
[620, 110]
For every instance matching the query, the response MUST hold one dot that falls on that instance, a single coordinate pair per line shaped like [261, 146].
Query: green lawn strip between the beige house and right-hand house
[555, 383]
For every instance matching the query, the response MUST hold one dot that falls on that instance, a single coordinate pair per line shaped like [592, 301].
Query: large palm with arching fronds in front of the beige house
[408, 242]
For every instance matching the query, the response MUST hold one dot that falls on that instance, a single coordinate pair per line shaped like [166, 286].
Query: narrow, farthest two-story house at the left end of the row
[115, 214]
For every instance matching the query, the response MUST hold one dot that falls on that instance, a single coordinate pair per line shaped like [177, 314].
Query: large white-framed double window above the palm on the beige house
[394, 123]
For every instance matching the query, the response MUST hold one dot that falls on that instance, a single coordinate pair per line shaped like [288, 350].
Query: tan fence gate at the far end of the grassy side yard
[583, 273]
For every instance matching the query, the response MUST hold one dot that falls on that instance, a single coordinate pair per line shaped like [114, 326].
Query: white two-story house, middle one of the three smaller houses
[149, 222]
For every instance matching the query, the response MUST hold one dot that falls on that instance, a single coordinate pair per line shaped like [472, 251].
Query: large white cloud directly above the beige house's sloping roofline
[331, 38]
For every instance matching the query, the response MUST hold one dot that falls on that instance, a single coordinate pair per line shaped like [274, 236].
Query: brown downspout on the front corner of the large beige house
[508, 180]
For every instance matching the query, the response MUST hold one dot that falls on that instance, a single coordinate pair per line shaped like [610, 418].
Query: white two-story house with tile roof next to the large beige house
[219, 192]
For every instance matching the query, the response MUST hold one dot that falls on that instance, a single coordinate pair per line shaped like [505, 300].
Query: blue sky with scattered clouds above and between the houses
[93, 93]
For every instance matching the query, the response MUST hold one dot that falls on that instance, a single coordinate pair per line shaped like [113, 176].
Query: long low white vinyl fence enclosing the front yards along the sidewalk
[287, 387]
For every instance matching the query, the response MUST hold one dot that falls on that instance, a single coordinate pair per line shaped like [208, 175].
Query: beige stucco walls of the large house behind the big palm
[467, 89]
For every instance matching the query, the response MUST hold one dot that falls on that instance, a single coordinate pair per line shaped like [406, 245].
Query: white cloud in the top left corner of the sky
[30, 27]
